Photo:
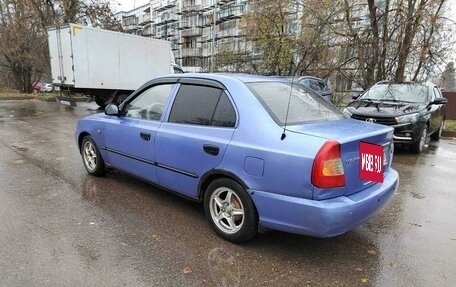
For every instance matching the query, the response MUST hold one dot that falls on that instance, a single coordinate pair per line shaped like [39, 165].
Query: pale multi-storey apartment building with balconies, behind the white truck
[197, 29]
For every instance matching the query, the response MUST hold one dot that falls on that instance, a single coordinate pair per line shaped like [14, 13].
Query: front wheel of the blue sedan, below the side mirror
[91, 157]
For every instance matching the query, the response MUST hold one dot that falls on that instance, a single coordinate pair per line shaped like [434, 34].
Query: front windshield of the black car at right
[397, 92]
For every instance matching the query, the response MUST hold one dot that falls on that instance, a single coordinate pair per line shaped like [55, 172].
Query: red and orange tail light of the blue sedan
[328, 170]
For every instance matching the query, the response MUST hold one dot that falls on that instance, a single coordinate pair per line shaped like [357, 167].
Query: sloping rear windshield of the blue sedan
[304, 106]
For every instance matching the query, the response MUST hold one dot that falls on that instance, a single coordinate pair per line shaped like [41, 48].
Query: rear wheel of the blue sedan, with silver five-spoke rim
[230, 210]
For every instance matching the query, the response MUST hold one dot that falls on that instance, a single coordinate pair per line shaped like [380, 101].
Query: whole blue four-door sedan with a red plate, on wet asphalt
[259, 152]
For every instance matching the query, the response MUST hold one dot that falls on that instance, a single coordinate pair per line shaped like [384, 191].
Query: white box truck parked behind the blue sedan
[105, 65]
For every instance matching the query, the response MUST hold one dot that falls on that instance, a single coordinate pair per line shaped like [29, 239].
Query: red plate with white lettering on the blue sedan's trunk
[371, 162]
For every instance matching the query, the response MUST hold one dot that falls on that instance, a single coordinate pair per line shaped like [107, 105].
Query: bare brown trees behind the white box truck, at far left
[23, 38]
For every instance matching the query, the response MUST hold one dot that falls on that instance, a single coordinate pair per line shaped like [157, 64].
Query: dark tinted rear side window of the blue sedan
[202, 105]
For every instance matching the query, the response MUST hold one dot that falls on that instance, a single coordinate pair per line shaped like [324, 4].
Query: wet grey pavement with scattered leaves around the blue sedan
[62, 227]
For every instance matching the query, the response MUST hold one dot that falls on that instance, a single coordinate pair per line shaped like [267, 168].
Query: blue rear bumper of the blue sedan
[323, 218]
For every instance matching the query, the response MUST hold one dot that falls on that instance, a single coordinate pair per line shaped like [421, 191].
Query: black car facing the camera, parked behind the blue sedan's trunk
[415, 110]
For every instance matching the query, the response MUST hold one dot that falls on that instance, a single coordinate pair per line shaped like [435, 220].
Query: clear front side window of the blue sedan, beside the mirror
[149, 104]
